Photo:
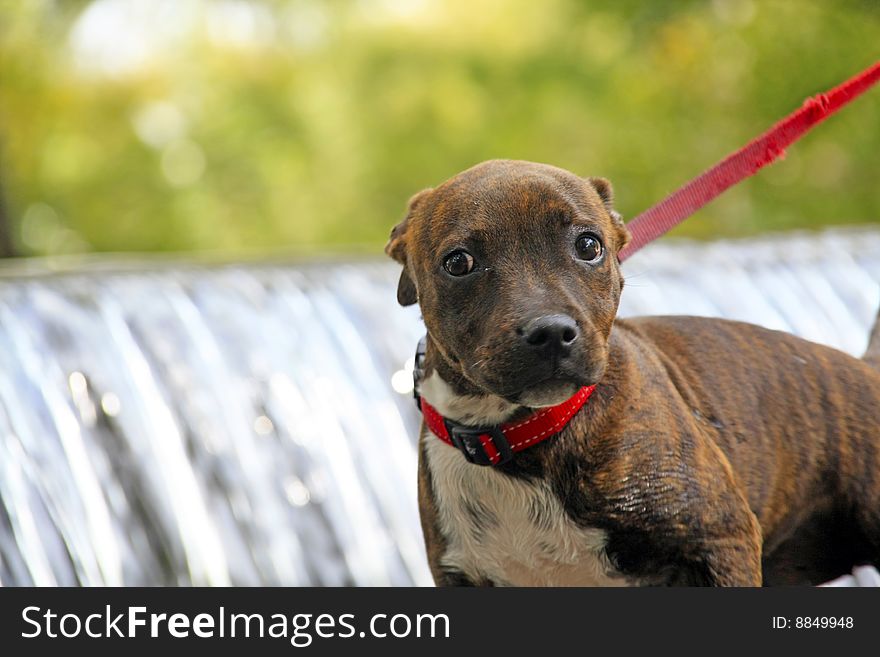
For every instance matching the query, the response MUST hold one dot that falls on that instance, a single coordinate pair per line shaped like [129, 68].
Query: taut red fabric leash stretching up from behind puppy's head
[745, 162]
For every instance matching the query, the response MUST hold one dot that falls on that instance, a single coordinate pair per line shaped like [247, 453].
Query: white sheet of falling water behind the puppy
[237, 424]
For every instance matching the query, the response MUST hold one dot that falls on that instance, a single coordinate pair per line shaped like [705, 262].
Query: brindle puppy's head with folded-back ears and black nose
[514, 265]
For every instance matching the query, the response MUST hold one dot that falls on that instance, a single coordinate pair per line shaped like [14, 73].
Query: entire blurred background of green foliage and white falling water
[242, 413]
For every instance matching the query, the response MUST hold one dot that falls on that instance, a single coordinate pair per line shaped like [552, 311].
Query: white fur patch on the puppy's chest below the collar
[511, 532]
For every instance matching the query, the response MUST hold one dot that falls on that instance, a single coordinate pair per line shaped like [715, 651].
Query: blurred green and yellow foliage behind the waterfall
[230, 125]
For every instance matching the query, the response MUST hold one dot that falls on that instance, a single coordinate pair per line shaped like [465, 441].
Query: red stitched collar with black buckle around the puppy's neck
[494, 445]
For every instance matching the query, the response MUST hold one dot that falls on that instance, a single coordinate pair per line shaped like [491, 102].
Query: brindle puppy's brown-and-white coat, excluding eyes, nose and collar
[711, 452]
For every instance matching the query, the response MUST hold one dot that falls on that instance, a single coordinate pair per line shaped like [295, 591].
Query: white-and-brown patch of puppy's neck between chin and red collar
[456, 398]
